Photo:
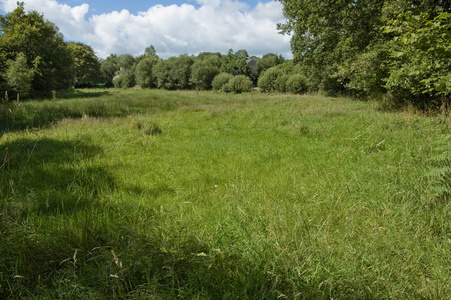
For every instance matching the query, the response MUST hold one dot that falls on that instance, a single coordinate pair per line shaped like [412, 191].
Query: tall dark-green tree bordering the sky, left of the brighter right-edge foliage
[326, 34]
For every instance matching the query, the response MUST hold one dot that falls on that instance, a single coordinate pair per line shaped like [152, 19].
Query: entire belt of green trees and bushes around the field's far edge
[397, 50]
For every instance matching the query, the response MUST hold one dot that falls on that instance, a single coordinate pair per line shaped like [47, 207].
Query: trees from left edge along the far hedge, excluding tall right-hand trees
[35, 61]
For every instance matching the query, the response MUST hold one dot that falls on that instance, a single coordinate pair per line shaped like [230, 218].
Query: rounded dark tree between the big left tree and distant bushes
[86, 64]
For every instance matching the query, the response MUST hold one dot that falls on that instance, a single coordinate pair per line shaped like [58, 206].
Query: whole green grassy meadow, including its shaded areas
[134, 194]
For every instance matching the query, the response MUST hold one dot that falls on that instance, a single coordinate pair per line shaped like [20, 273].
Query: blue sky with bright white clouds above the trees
[172, 27]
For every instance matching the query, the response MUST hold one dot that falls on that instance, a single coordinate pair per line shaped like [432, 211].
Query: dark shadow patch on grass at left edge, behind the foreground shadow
[48, 176]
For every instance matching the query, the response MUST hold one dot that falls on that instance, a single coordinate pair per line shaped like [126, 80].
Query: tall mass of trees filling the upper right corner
[373, 47]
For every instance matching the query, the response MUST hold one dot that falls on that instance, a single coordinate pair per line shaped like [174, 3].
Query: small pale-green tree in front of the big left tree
[19, 76]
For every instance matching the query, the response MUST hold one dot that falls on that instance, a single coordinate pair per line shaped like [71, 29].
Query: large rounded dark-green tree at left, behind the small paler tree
[43, 46]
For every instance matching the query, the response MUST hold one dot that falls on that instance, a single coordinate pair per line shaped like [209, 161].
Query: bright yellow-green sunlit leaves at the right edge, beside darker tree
[422, 54]
